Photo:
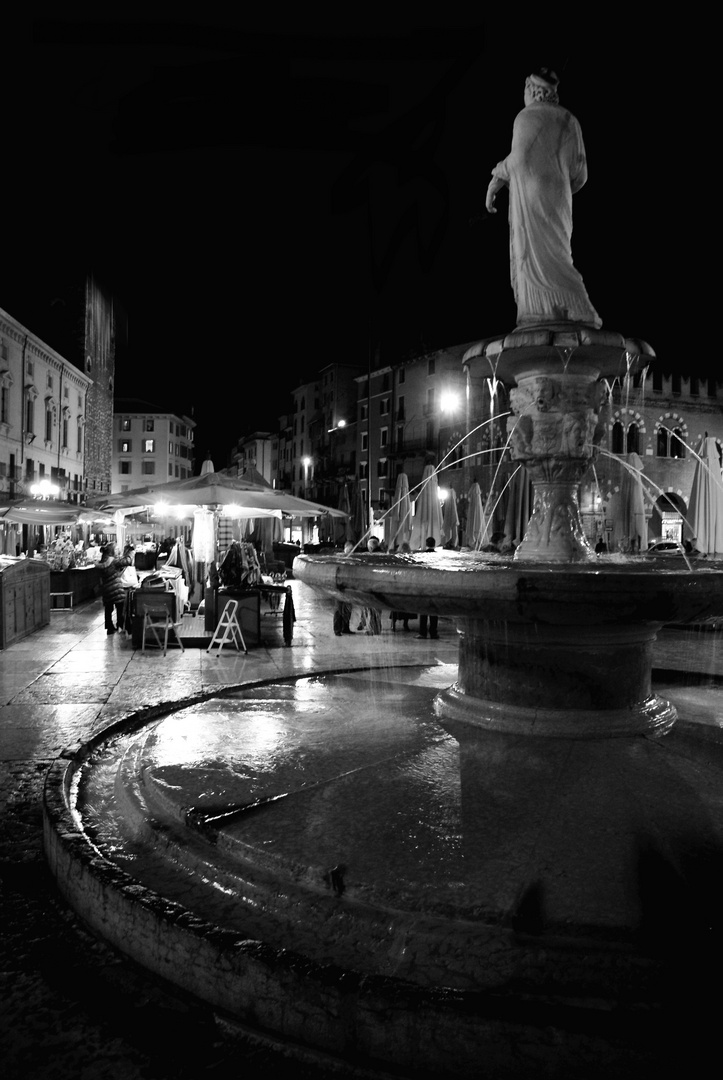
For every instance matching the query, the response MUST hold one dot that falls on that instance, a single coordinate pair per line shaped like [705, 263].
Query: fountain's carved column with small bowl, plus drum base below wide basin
[553, 677]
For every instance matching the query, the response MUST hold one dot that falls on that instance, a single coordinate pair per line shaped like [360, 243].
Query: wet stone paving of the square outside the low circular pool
[72, 1008]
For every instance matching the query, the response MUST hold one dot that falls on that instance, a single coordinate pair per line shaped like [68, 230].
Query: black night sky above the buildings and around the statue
[269, 196]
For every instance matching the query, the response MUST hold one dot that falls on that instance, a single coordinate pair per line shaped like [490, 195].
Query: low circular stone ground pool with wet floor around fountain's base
[319, 859]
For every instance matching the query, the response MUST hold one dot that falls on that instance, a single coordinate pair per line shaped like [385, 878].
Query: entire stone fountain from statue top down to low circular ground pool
[584, 826]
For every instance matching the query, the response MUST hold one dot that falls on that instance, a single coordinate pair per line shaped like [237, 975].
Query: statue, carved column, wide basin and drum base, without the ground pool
[540, 638]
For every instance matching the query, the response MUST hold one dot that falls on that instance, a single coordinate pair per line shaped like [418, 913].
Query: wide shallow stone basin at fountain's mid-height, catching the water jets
[467, 586]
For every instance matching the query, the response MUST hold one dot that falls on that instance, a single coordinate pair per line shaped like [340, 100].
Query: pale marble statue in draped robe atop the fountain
[545, 168]
